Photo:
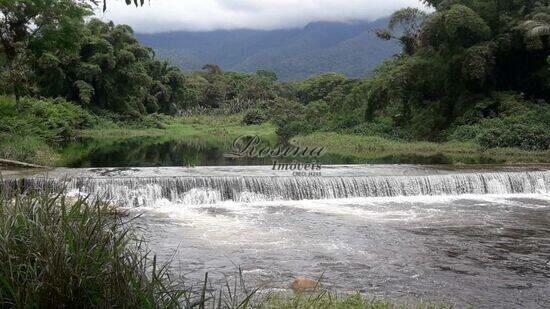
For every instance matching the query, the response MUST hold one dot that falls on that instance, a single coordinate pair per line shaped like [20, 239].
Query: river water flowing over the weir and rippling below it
[473, 236]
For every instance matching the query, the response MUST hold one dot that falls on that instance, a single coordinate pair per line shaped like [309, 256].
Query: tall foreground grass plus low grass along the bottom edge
[57, 252]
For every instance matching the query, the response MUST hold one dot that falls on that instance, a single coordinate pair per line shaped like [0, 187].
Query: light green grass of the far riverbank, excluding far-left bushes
[340, 148]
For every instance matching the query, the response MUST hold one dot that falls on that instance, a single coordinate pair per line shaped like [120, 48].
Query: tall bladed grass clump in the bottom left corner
[79, 253]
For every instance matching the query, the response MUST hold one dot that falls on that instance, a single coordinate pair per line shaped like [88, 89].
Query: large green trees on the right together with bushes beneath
[466, 52]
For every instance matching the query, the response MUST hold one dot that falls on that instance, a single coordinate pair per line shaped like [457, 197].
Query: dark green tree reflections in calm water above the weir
[195, 151]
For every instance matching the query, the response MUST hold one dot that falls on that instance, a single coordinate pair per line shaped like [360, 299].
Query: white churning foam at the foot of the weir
[239, 223]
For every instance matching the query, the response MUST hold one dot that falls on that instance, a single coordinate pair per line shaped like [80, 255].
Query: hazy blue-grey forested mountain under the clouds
[349, 48]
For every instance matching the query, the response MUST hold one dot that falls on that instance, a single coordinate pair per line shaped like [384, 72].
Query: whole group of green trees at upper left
[99, 65]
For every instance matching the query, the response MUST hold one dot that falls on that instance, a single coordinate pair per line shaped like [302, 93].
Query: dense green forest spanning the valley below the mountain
[475, 70]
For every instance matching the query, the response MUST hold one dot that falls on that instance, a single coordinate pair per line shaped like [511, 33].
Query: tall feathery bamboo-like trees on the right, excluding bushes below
[463, 52]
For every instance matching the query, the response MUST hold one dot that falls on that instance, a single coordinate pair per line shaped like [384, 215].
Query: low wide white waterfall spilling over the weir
[146, 191]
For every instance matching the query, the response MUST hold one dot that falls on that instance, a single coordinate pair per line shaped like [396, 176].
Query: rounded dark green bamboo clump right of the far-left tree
[113, 71]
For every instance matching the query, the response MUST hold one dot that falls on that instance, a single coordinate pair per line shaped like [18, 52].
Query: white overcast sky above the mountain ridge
[203, 15]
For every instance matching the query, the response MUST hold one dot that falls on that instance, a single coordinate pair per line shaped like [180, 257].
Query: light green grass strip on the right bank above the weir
[373, 149]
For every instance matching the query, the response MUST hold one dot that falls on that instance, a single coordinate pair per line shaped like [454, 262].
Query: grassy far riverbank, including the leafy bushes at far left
[35, 132]
